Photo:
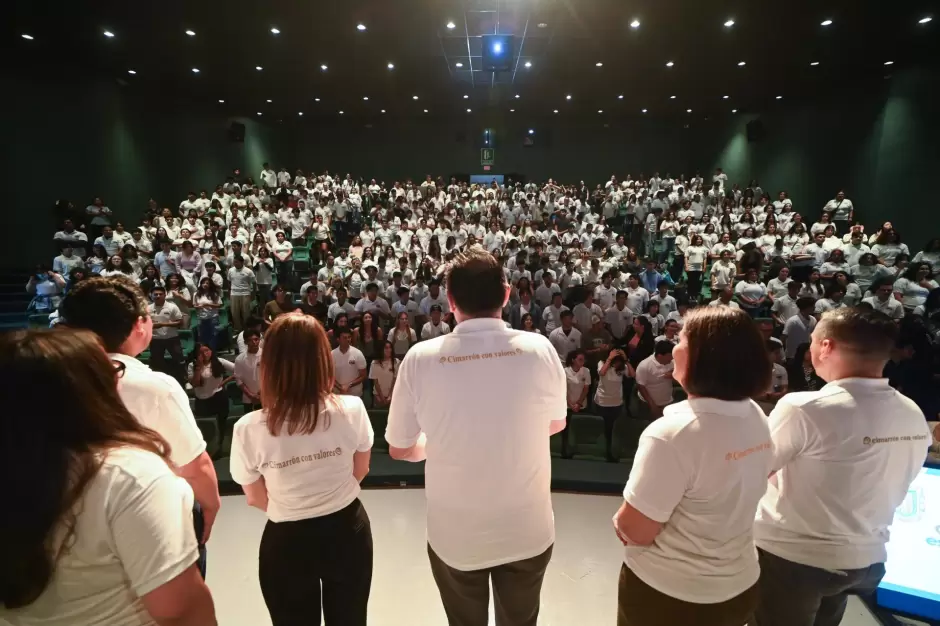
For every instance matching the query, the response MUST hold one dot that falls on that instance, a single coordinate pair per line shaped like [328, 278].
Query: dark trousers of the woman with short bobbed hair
[638, 604]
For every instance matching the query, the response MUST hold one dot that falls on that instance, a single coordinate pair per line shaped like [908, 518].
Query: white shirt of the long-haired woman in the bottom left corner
[133, 534]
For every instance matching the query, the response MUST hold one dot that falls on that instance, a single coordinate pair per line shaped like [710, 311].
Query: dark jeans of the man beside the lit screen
[792, 594]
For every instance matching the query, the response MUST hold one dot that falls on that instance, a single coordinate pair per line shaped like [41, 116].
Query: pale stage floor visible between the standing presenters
[580, 585]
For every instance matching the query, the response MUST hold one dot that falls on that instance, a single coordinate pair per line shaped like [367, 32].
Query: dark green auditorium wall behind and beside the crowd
[76, 139]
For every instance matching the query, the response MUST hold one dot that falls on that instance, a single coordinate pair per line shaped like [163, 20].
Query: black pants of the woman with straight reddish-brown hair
[322, 561]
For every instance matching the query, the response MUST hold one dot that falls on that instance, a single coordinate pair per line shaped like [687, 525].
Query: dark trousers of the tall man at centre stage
[517, 587]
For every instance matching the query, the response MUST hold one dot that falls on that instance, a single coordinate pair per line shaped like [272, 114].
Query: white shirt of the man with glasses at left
[158, 402]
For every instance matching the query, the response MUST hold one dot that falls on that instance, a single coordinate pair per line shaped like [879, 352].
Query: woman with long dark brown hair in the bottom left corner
[102, 531]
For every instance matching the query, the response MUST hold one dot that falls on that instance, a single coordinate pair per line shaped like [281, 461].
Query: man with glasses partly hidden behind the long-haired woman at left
[116, 310]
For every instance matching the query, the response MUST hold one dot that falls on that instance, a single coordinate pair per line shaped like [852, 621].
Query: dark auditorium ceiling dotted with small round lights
[776, 40]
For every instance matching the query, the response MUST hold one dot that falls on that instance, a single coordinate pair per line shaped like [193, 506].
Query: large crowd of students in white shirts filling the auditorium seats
[617, 267]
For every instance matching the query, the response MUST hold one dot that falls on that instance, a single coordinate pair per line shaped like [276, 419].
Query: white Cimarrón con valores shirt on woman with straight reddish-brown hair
[306, 475]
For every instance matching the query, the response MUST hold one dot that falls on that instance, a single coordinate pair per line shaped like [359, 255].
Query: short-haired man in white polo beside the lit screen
[843, 460]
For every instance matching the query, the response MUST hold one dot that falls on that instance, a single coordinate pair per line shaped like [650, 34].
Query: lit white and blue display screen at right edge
[912, 583]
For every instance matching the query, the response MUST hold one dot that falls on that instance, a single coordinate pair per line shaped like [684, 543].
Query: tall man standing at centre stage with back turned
[488, 471]
